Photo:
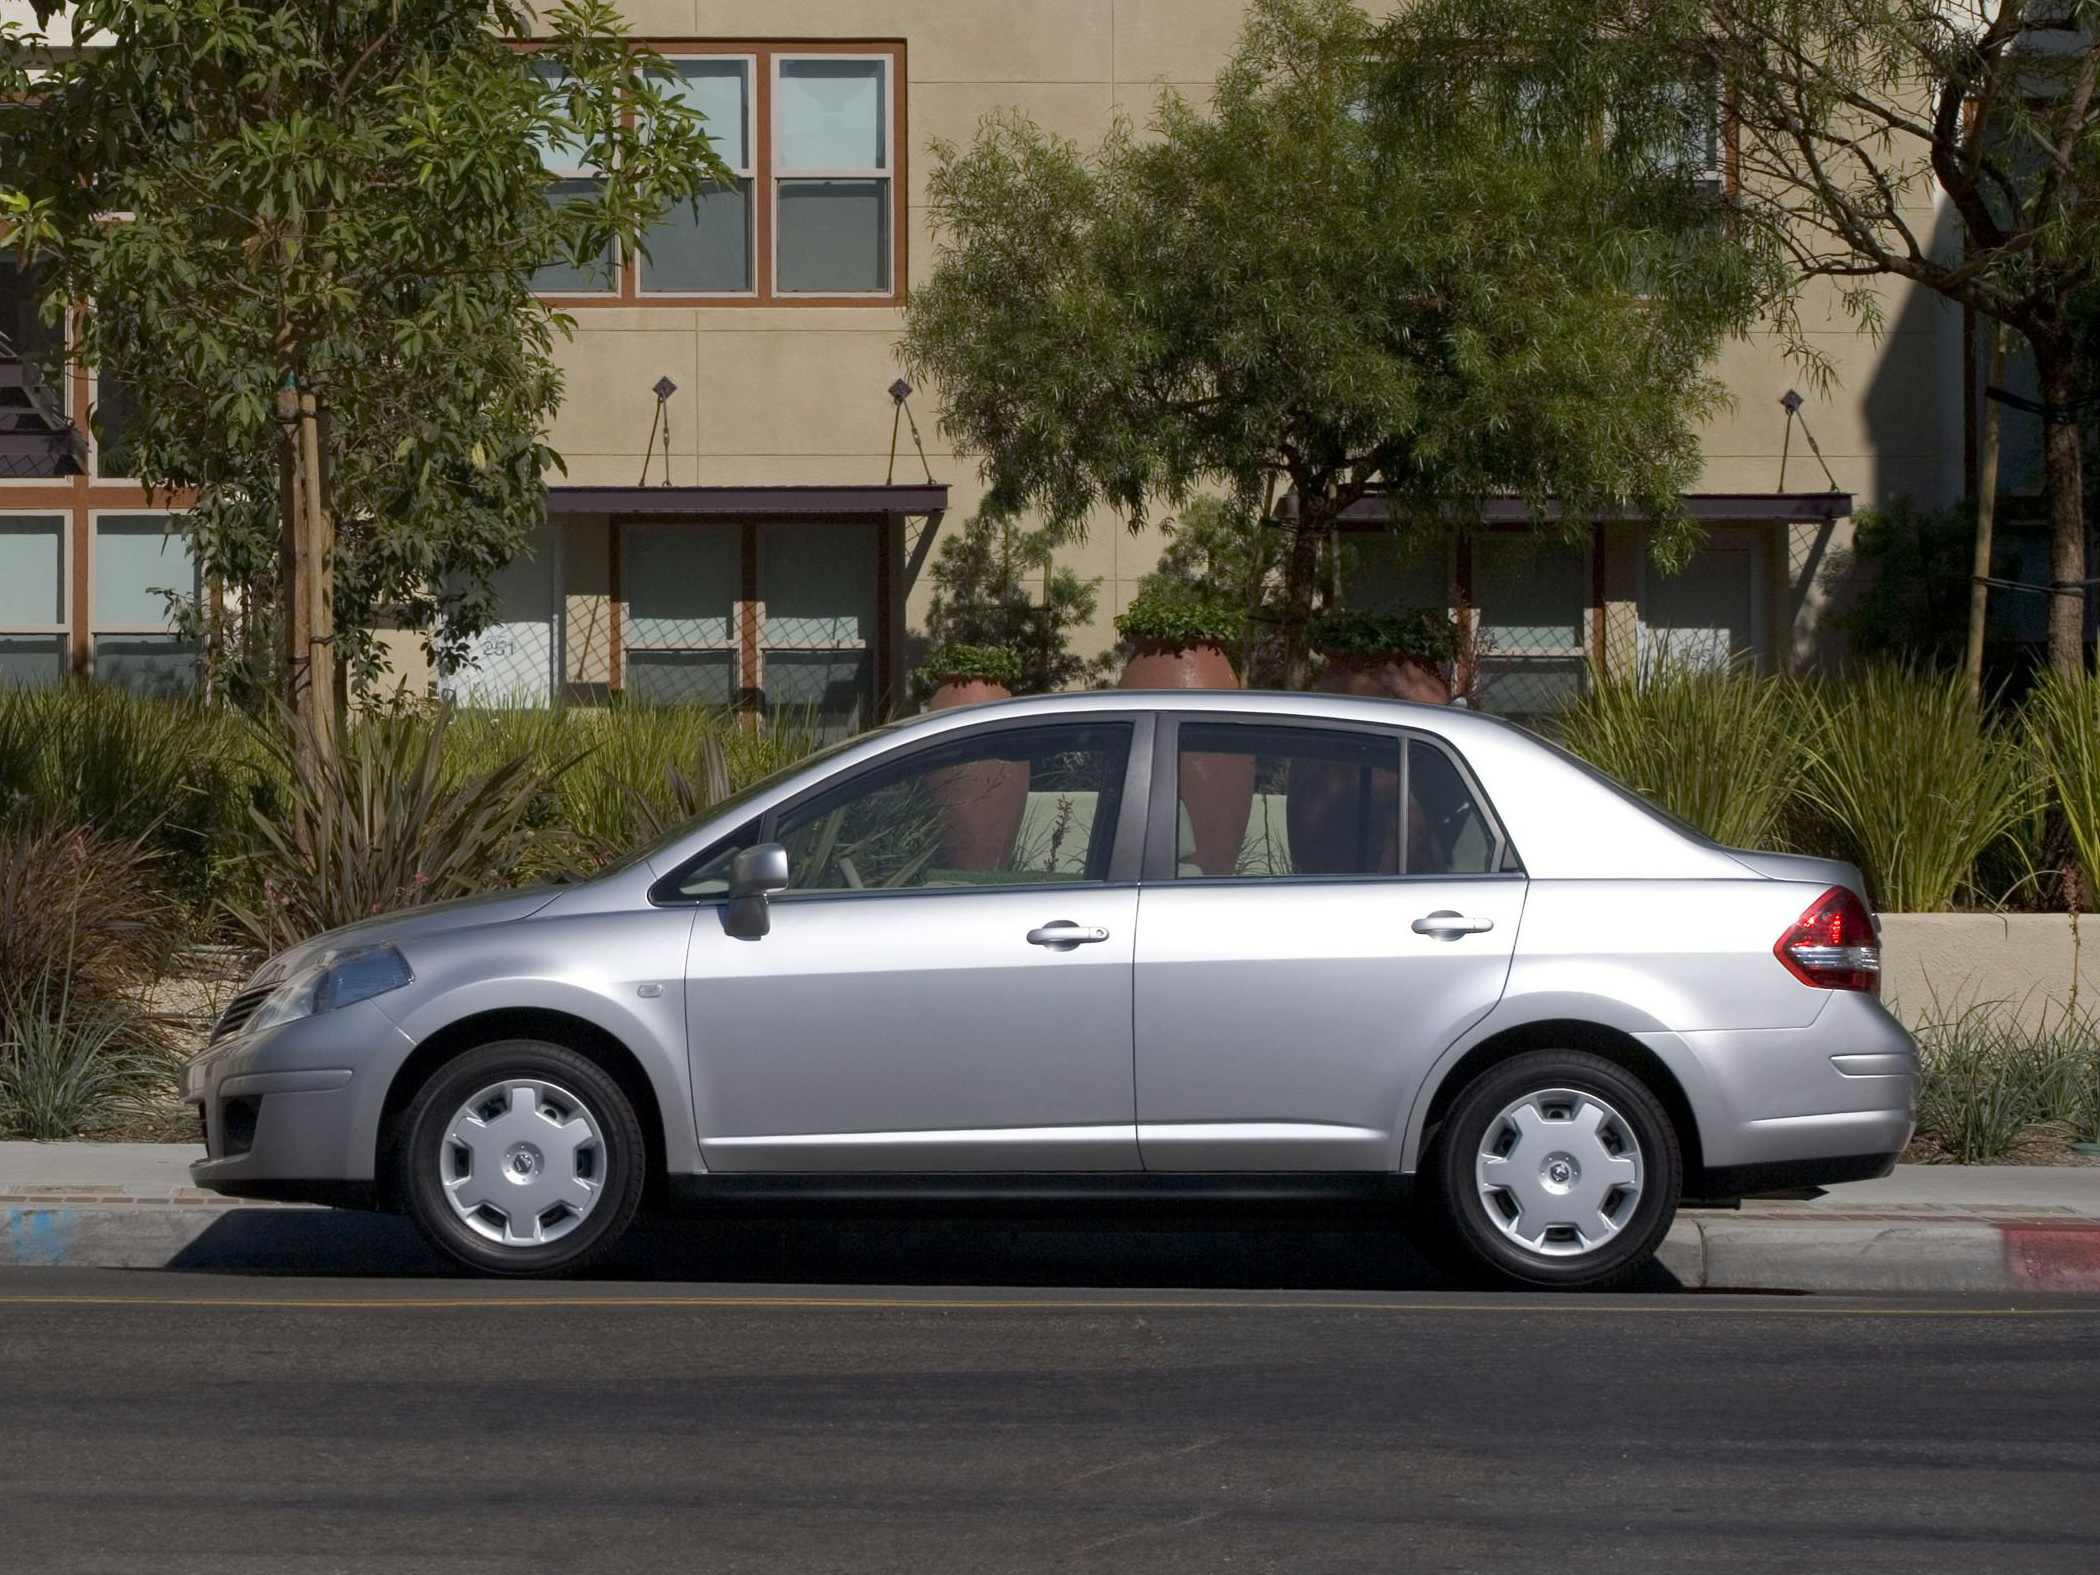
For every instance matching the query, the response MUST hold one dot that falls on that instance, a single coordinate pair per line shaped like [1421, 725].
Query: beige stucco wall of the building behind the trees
[795, 394]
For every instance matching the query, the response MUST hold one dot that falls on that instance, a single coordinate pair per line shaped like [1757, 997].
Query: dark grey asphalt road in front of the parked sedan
[217, 1423]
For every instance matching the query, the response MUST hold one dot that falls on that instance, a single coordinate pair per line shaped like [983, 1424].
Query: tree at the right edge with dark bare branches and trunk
[1849, 121]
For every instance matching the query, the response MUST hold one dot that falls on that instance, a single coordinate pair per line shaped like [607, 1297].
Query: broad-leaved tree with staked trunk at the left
[318, 280]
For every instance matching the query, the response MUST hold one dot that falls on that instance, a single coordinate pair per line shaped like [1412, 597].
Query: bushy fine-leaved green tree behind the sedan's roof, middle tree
[1295, 285]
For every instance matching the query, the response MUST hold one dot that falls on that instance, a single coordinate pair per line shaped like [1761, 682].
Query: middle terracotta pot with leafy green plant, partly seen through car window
[1177, 642]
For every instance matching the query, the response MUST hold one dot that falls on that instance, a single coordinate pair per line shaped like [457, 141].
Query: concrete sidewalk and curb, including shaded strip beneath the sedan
[2009, 1230]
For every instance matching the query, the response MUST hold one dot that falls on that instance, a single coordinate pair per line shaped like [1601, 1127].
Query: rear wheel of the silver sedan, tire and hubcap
[1553, 1171]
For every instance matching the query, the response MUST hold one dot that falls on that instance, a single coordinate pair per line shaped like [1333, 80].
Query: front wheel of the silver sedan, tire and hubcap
[522, 1158]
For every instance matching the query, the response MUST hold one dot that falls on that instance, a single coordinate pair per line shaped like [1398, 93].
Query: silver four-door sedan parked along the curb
[1122, 946]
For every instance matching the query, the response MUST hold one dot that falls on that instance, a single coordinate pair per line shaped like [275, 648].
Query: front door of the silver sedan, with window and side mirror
[946, 982]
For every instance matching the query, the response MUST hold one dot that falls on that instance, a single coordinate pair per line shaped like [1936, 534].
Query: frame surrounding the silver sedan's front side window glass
[1125, 852]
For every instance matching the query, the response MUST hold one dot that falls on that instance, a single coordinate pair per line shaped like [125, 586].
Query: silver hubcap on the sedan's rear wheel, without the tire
[1559, 1173]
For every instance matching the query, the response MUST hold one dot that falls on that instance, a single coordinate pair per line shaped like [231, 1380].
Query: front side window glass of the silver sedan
[1013, 807]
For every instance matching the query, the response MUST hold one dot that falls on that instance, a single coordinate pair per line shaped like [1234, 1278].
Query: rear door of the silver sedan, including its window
[1297, 982]
